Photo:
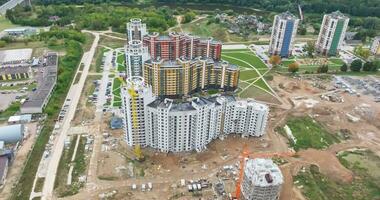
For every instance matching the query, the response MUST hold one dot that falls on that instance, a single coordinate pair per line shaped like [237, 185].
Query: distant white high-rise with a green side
[331, 34]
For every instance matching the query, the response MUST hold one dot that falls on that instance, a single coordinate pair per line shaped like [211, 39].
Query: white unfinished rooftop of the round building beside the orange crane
[263, 172]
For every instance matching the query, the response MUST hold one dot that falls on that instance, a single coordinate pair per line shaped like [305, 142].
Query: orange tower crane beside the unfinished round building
[245, 154]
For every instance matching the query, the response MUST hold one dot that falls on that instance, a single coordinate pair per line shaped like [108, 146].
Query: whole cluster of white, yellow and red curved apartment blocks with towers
[156, 113]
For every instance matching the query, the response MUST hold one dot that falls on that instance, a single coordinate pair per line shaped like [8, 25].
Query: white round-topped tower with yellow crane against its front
[135, 96]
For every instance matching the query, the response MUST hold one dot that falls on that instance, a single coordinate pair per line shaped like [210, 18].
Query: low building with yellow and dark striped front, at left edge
[15, 73]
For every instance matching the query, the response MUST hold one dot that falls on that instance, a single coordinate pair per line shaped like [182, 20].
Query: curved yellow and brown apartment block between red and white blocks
[184, 77]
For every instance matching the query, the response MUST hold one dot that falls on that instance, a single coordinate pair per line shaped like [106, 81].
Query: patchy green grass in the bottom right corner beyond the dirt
[365, 185]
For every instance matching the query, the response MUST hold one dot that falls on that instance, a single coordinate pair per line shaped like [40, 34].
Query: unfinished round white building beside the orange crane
[262, 180]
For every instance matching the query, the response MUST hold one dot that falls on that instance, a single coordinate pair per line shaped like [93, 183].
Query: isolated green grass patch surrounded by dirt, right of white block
[309, 133]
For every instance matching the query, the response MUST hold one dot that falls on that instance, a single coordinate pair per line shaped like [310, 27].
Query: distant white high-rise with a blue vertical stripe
[284, 31]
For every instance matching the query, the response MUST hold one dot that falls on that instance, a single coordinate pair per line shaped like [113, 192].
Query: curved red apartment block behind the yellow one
[181, 45]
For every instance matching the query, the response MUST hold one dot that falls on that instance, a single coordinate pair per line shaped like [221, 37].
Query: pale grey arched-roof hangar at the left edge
[12, 133]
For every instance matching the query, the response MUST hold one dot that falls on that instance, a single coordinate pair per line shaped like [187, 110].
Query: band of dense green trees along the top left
[91, 16]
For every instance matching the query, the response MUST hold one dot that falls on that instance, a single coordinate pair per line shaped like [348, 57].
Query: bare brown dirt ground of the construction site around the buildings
[301, 96]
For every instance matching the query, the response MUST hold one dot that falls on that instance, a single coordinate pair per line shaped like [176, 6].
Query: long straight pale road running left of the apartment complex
[74, 95]
